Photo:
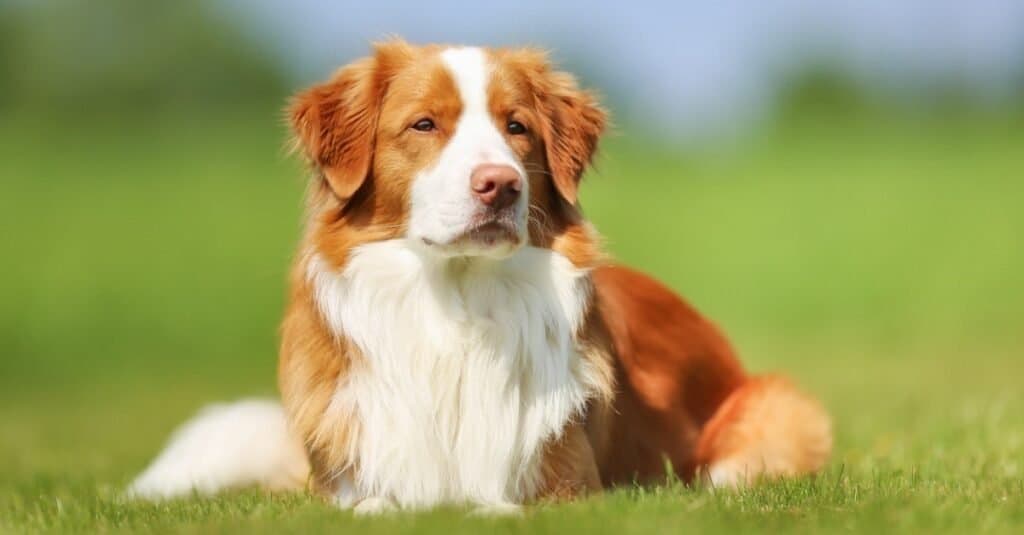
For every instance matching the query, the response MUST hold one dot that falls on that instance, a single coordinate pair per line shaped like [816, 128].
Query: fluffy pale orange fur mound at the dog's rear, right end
[765, 429]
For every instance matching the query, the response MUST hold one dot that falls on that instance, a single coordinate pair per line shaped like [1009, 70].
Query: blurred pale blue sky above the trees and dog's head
[685, 66]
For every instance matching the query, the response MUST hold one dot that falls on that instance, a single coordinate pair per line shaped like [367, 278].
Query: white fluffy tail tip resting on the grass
[228, 446]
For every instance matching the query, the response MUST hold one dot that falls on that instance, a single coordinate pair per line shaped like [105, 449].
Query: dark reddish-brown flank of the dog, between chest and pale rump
[673, 371]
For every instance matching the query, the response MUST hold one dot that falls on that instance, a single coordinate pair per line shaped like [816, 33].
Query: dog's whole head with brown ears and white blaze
[465, 152]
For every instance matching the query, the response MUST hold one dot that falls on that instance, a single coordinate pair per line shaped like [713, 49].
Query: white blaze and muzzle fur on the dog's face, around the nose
[443, 207]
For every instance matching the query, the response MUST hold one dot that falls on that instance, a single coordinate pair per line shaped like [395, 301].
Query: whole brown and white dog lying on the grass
[455, 334]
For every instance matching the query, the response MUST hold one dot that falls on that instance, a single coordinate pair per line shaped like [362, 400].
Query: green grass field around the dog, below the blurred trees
[879, 264]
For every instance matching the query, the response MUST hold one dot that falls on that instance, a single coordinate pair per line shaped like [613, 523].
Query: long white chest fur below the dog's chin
[468, 369]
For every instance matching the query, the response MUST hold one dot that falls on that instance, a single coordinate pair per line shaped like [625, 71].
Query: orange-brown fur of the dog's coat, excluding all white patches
[668, 372]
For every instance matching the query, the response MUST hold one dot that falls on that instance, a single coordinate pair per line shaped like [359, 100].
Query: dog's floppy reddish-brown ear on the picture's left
[335, 122]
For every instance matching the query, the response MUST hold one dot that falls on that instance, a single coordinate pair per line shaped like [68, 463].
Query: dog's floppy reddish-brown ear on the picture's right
[572, 121]
